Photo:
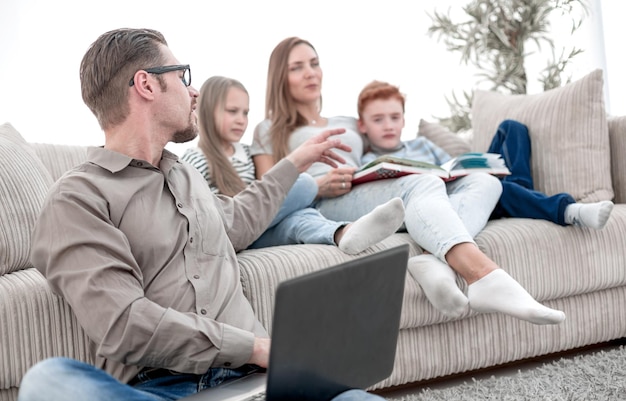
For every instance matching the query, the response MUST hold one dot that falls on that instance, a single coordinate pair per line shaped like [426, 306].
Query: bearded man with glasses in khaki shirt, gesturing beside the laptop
[147, 257]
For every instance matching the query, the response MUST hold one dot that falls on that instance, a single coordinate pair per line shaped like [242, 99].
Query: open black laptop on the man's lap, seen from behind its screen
[333, 330]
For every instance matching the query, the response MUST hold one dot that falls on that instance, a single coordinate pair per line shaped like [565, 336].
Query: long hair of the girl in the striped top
[210, 110]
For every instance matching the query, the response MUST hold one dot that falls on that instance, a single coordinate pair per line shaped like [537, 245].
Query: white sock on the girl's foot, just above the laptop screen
[374, 227]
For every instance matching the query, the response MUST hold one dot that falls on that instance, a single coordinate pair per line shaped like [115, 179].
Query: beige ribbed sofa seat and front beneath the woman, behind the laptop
[573, 269]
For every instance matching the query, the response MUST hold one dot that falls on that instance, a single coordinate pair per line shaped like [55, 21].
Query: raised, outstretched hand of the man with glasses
[318, 149]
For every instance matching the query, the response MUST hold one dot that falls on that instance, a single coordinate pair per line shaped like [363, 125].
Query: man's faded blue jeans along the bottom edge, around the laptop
[62, 379]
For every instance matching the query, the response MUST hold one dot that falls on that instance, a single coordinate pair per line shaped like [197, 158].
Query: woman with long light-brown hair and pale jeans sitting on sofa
[292, 111]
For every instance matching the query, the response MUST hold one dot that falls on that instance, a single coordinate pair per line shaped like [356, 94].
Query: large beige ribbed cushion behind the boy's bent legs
[569, 132]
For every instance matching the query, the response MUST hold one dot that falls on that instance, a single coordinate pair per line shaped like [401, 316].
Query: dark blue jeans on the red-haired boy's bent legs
[519, 199]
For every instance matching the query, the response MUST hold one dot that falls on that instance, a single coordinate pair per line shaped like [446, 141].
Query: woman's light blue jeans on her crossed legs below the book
[437, 215]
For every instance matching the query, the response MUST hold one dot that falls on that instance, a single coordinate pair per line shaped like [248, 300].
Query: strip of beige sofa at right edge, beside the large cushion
[617, 138]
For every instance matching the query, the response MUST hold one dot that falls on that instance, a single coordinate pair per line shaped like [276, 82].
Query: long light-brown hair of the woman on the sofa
[280, 108]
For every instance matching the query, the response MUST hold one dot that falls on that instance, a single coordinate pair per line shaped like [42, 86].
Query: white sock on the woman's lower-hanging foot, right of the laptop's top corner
[438, 281]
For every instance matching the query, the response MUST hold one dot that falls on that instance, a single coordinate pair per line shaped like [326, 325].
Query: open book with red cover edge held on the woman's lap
[392, 167]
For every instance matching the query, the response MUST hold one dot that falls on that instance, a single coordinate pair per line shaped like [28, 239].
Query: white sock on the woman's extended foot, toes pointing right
[499, 292]
